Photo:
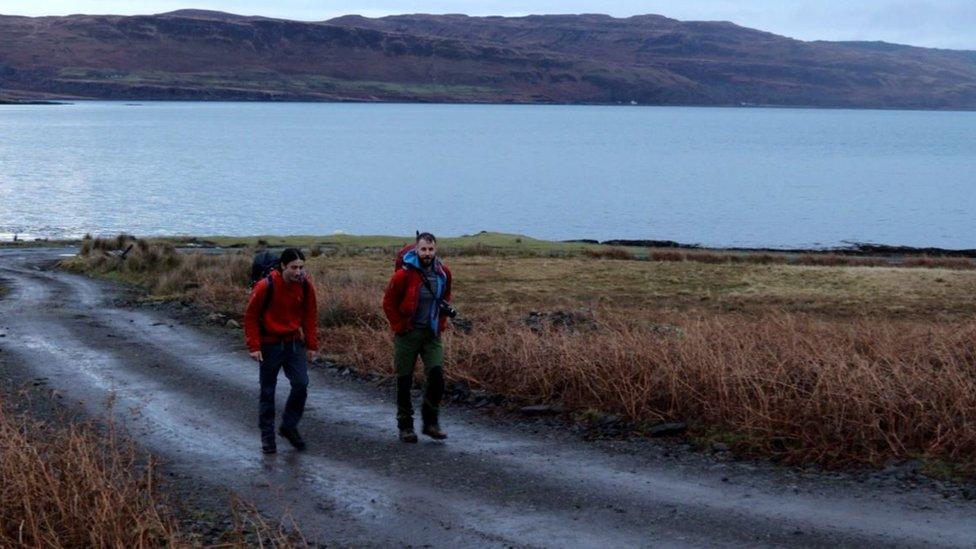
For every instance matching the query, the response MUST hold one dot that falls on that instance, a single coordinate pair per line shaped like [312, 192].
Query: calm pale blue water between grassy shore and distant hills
[714, 176]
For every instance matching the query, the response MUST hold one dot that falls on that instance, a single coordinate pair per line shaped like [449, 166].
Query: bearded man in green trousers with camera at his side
[415, 303]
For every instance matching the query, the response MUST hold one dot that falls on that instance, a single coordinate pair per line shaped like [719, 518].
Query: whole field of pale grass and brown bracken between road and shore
[831, 364]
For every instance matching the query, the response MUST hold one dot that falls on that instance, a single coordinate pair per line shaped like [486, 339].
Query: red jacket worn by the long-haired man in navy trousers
[285, 316]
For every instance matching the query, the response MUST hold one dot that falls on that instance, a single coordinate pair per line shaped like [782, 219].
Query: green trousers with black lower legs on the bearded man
[407, 347]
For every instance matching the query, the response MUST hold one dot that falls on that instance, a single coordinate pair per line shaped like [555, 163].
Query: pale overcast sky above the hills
[933, 23]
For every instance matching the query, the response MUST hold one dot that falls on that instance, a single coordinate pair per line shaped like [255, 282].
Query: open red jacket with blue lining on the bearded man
[402, 295]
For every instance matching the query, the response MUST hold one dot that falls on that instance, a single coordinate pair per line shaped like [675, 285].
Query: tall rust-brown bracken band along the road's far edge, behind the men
[800, 388]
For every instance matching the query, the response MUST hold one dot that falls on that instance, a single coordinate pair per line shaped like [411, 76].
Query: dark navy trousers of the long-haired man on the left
[289, 355]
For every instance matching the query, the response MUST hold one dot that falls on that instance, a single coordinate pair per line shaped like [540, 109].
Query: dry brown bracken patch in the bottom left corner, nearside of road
[74, 487]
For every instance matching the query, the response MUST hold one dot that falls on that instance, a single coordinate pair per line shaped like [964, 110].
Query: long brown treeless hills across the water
[194, 54]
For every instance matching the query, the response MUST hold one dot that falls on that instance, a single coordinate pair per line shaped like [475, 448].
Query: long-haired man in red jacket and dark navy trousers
[280, 330]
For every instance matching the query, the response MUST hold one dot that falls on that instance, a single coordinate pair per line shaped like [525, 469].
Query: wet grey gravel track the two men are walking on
[190, 396]
